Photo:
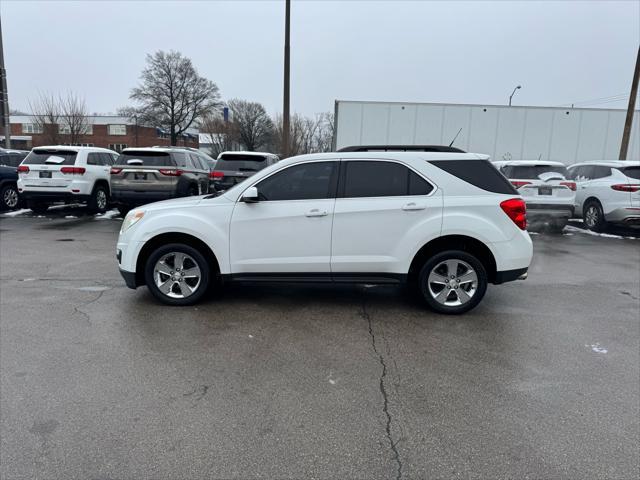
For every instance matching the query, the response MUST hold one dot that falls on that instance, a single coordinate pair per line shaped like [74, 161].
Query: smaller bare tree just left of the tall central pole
[255, 127]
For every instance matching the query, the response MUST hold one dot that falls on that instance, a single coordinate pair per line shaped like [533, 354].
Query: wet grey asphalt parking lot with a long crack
[542, 380]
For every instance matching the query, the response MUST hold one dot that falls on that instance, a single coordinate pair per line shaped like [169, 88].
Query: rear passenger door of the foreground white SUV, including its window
[383, 209]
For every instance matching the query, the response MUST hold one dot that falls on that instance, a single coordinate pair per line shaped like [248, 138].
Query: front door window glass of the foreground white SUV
[300, 182]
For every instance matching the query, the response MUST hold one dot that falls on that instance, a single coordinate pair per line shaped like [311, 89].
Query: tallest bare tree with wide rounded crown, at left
[172, 95]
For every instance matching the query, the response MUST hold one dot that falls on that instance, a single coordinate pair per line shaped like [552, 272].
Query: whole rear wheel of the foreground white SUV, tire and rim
[453, 282]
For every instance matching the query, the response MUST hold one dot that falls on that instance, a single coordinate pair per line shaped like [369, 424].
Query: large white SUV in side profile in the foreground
[450, 222]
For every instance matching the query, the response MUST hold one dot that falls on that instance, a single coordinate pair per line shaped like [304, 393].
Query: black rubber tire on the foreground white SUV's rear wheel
[435, 264]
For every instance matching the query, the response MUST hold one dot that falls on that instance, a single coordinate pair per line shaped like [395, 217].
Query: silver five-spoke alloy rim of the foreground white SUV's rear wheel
[452, 282]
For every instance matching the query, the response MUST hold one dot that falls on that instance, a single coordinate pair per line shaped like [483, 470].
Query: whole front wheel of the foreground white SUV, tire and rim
[177, 274]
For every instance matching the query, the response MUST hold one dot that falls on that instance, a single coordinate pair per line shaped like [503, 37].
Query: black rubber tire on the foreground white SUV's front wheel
[176, 288]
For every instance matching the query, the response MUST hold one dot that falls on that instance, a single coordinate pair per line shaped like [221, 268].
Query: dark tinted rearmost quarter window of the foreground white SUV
[479, 173]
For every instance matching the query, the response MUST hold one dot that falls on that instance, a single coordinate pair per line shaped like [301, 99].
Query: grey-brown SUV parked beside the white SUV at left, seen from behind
[144, 175]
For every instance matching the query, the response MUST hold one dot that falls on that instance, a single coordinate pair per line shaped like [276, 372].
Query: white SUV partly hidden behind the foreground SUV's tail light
[543, 185]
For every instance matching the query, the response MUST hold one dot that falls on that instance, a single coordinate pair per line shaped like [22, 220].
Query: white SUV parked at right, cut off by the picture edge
[608, 192]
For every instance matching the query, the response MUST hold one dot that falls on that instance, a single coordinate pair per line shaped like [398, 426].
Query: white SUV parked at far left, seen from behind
[64, 173]
